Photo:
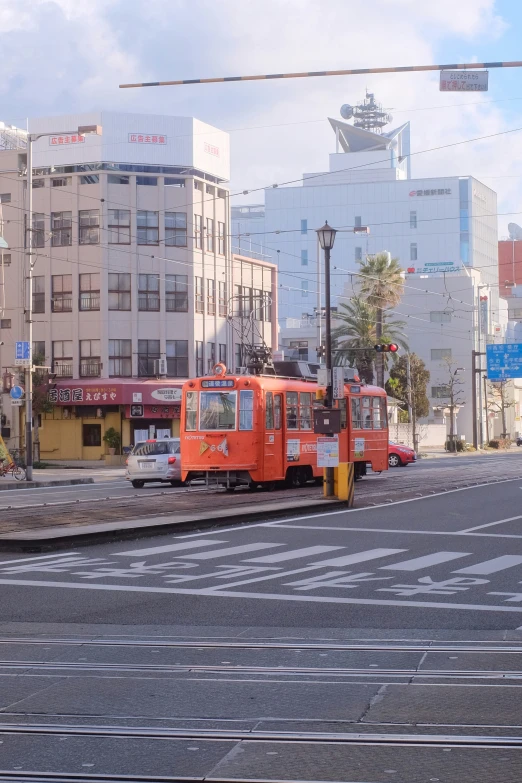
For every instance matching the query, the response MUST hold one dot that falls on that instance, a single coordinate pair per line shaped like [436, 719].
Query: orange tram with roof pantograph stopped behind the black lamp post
[258, 429]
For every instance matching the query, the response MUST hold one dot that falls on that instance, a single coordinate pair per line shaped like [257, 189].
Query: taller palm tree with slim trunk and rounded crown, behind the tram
[382, 286]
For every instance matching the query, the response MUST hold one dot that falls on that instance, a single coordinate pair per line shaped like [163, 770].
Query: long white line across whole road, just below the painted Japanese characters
[207, 593]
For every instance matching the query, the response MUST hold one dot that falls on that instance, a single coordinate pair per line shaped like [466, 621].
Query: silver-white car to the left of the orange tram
[155, 460]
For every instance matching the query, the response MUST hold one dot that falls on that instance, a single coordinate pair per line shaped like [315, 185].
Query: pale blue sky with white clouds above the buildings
[61, 56]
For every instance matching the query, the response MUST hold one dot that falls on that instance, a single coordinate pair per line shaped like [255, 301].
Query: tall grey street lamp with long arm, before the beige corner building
[81, 130]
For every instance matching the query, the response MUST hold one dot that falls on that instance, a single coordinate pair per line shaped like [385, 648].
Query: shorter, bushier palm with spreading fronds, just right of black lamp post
[358, 331]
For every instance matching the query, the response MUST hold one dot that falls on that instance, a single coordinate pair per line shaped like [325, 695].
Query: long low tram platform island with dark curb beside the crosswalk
[57, 537]
